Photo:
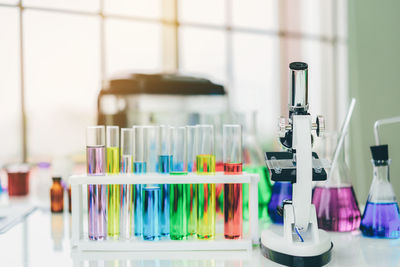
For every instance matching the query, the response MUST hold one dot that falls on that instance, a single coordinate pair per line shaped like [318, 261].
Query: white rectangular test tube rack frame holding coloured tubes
[82, 242]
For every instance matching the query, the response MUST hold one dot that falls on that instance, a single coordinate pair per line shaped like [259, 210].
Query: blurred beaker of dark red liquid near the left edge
[18, 179]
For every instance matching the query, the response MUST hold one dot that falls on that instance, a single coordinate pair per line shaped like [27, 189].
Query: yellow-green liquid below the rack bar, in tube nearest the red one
[206, 211]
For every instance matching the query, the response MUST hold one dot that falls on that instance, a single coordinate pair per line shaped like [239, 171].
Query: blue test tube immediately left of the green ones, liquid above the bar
[164, 166]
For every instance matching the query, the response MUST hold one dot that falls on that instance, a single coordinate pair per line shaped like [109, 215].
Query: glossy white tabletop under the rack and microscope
[42, 239]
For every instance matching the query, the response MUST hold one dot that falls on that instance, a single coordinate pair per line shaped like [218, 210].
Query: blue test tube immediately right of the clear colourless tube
[139, 167]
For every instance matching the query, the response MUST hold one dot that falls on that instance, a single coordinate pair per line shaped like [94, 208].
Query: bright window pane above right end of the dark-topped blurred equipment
[203, 53]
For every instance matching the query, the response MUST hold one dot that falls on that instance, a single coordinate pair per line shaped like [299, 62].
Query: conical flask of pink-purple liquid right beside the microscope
[335, 201]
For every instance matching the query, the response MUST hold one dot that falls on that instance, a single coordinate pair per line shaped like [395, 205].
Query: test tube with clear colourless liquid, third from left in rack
[127, 144]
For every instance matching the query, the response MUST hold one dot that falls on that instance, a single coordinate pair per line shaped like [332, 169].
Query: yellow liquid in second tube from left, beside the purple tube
[113, 194]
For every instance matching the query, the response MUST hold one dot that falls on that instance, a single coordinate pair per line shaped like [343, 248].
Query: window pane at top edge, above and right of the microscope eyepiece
[308, 16]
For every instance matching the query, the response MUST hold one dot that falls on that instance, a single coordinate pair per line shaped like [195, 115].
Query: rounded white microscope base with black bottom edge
[276, 248]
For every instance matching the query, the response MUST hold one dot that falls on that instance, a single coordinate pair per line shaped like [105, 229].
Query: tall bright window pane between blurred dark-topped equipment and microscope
[256, 79]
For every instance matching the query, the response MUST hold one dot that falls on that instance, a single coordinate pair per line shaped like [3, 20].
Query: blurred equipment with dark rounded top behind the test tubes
[173, 99]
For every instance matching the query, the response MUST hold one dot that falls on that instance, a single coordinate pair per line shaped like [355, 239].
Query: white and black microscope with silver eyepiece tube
[299, 242]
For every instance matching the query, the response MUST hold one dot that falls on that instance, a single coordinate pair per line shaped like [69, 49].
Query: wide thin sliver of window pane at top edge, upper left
[86, 5]
